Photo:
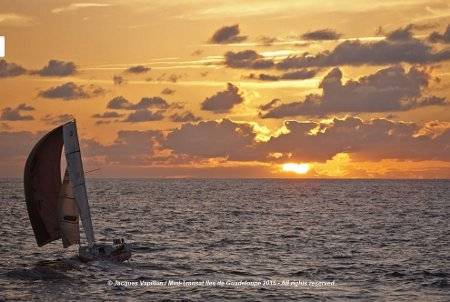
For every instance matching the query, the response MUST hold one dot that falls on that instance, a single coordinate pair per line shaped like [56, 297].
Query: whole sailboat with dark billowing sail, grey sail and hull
[55, 206]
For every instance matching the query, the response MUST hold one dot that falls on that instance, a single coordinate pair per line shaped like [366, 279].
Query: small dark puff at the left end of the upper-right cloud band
[247, 59]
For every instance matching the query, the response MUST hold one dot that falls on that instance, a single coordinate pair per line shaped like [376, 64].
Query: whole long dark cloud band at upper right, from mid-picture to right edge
[389, 51]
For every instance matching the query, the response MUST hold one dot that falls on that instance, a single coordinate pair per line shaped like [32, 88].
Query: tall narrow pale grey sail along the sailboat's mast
[76, 174]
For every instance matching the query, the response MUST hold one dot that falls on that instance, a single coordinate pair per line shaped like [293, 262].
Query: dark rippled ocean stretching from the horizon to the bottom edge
[241, 240]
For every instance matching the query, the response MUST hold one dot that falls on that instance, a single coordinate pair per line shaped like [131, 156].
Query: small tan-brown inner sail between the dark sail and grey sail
[68, 213]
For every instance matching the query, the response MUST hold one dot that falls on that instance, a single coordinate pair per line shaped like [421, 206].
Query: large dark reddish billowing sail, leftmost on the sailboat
[42, 183]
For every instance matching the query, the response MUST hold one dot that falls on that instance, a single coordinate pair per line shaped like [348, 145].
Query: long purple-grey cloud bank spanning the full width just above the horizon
[226, 140]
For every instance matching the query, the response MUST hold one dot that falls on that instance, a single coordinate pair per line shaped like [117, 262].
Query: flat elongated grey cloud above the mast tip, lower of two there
[71, 91]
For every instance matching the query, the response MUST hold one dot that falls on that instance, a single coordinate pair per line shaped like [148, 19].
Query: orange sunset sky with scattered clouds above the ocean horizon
[231, 89]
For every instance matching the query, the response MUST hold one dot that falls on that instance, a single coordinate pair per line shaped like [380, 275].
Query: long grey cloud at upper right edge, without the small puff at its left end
[371, 53]
